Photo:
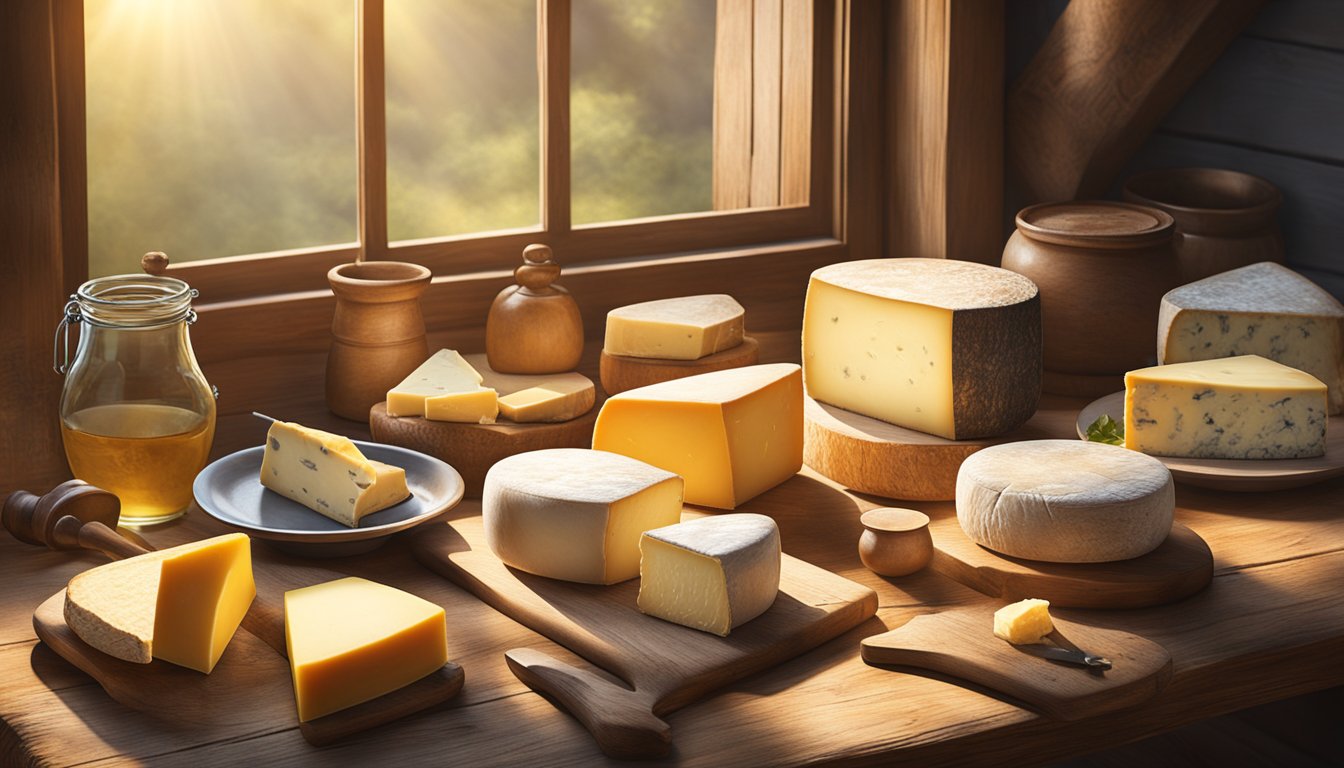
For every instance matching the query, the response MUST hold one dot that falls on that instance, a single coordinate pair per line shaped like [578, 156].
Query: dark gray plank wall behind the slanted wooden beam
[1273, 106]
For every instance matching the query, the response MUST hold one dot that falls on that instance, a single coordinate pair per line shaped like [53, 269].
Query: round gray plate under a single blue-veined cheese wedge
[230, 492]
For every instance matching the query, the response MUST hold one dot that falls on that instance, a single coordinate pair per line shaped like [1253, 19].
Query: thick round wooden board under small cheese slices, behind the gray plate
[474, 449]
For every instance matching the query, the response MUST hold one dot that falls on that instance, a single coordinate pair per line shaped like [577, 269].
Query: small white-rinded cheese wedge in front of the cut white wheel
[710, 574]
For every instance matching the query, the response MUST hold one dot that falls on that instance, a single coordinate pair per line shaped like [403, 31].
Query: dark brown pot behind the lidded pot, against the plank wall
[1225, 220]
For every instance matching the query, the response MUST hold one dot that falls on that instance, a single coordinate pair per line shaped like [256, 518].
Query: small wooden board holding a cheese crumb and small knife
[960, 644]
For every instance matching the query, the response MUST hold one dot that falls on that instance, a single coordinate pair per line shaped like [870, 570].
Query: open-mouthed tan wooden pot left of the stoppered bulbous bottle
[378, 333]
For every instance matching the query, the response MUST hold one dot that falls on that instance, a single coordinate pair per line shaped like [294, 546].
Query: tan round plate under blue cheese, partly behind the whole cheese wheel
[1234, 474]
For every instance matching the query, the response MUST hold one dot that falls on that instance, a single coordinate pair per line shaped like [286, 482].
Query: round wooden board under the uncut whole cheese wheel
[1181, 567]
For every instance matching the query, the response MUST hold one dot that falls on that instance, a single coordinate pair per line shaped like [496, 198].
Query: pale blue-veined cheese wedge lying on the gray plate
[327, 474]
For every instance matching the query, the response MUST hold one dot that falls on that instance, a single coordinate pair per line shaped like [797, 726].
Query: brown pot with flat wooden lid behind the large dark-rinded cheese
[1103, 270]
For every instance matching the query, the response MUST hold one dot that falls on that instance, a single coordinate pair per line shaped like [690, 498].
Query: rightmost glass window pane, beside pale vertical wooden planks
[642, 107]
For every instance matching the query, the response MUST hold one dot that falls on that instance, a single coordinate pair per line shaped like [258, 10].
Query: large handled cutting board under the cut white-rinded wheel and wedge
[665, 665]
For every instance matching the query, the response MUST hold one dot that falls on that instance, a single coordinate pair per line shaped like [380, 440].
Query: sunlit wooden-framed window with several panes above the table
[607, 128]
